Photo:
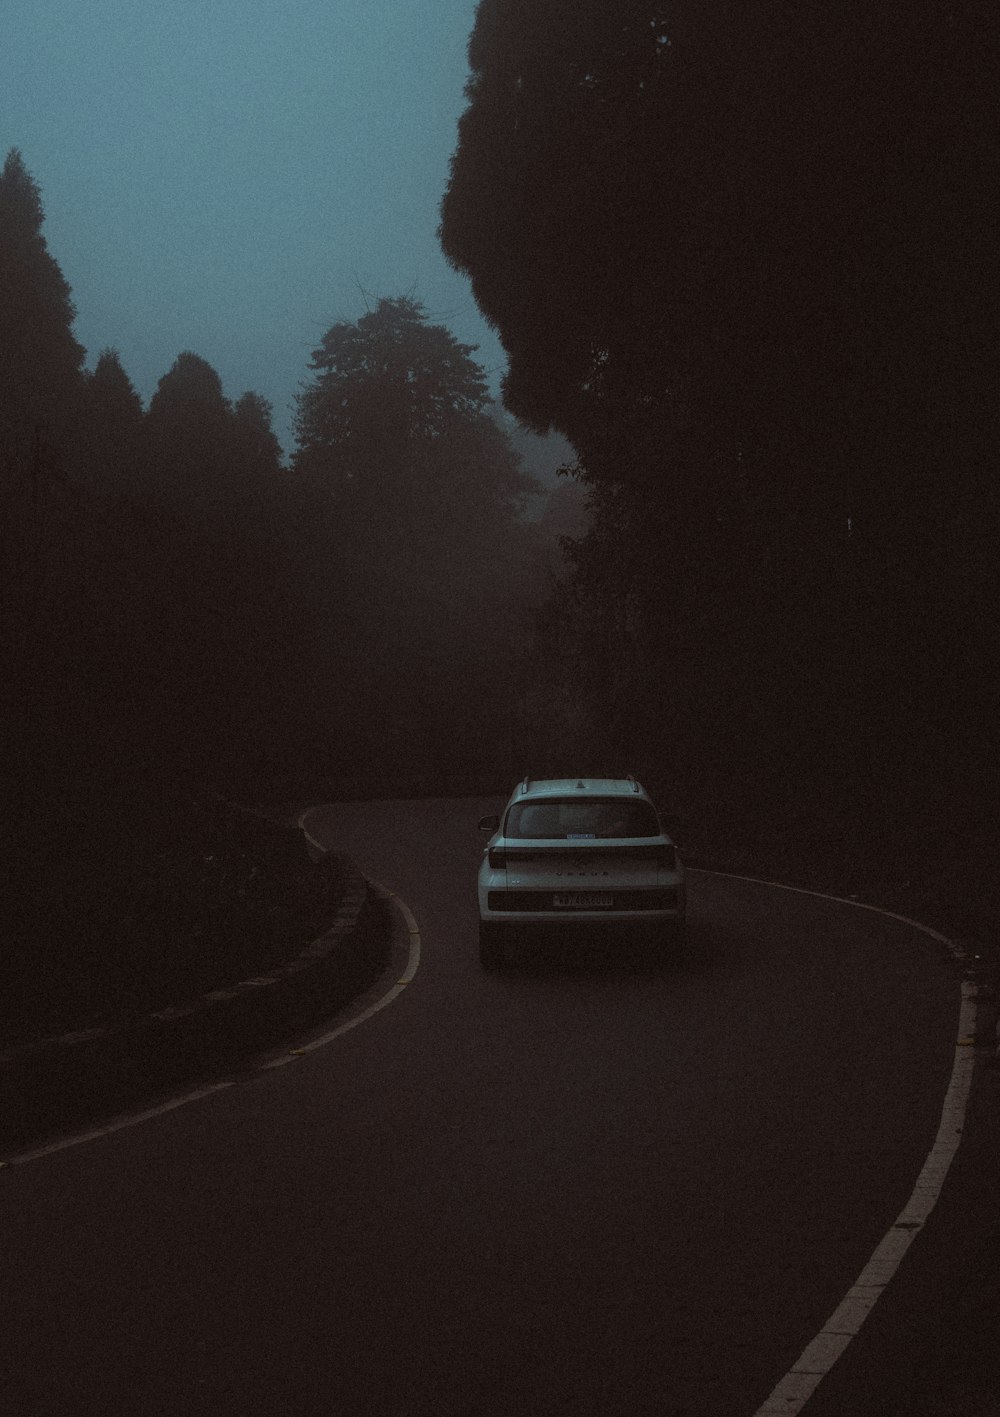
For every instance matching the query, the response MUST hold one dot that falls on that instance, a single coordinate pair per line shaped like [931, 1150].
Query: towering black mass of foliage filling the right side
[743, 259]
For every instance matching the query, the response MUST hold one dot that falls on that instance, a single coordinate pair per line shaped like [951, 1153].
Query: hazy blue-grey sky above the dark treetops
[230, 176]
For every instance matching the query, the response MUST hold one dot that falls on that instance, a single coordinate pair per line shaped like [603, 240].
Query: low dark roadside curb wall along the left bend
[67, 1080]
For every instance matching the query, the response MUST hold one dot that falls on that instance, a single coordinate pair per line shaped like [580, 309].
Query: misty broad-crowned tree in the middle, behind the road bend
[410, 511]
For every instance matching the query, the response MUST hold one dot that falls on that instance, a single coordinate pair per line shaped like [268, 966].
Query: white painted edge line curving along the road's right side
[818, 1358]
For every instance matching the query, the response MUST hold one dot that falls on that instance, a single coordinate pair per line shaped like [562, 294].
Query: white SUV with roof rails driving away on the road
[579, 851]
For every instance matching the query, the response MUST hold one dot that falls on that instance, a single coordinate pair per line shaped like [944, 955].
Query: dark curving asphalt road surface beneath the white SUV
[569, 1190]
